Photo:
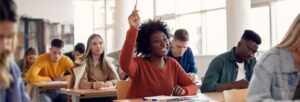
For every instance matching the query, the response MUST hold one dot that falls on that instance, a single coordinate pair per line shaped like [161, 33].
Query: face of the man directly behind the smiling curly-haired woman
[179, 47]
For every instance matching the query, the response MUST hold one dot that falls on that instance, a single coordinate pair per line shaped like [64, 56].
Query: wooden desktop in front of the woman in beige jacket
[90, 92]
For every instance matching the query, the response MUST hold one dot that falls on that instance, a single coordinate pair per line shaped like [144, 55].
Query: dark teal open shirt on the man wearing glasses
[223, 69]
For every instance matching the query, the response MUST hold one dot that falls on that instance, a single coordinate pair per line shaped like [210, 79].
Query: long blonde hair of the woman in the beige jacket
[88, 57]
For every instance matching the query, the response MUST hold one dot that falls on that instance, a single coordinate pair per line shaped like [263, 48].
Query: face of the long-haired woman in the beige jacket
[97, 47]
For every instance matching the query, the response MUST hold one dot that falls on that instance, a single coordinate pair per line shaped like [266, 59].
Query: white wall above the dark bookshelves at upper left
[54, 10]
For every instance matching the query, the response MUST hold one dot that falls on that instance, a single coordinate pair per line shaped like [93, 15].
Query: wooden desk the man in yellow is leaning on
[46, 85]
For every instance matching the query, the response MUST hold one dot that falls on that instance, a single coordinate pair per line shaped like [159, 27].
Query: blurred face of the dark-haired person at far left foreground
[6, 35]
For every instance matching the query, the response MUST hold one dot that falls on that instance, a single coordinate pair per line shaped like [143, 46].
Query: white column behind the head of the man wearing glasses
[238, 15]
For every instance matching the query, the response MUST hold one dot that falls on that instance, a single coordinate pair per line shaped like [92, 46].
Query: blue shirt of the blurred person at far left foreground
[16, 91]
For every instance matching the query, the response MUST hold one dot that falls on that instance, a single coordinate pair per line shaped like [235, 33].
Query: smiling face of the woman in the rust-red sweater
[159, 44]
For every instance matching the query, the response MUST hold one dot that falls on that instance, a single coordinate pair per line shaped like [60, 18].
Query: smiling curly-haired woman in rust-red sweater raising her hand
[152, 73]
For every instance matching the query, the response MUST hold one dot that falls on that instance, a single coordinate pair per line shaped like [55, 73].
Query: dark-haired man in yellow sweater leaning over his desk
[50, 67]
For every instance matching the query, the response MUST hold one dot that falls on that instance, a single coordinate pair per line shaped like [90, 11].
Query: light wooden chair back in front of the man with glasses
[235, 95]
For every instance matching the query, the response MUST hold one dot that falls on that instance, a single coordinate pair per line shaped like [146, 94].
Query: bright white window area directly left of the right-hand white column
[215, 32]
